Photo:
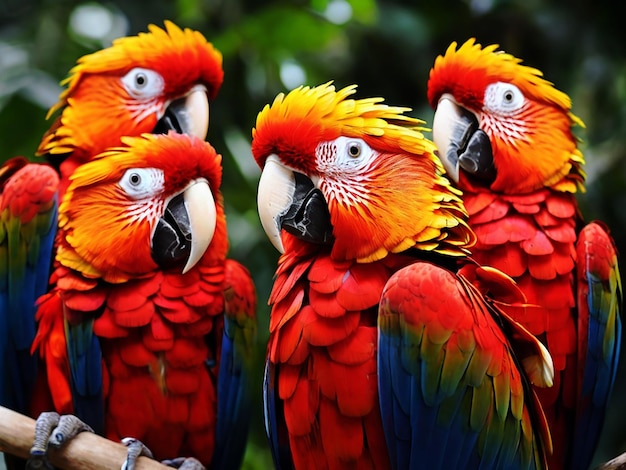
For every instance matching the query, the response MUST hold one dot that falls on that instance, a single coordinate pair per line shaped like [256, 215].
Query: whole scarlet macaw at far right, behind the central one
[505, 136]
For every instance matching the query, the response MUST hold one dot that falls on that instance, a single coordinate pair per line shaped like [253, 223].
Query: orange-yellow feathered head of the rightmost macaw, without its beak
[532, 140]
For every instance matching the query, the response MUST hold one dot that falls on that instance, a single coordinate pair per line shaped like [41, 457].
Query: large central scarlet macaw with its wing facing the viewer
[353, 197]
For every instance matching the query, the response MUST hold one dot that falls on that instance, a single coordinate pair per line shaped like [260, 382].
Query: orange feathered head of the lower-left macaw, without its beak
[105, 229]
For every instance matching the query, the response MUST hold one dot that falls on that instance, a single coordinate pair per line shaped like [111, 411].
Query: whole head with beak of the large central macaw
[357, 175]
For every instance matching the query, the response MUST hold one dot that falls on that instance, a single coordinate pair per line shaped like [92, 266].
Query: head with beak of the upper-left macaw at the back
[153, 82]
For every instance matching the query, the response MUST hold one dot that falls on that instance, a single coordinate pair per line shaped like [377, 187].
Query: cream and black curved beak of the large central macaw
[290, 201]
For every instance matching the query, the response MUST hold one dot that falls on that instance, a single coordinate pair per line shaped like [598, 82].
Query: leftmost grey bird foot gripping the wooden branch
[52, 430]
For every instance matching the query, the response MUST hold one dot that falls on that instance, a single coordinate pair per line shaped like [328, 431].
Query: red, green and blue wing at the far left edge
[26, 250]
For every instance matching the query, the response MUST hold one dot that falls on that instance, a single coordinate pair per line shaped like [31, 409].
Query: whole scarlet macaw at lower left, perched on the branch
[147, 330]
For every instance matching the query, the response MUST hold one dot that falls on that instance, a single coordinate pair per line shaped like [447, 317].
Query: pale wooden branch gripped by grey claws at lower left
[86, 451]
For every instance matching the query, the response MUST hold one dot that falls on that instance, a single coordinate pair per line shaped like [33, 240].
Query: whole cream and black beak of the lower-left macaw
[186, 229]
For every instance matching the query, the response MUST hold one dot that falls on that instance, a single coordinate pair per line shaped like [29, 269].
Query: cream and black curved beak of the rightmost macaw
[460, 142]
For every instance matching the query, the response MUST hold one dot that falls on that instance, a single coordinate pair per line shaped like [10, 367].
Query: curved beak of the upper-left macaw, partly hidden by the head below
[187, 115]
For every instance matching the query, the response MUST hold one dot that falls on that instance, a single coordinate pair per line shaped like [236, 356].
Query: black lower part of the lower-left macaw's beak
[171, 242]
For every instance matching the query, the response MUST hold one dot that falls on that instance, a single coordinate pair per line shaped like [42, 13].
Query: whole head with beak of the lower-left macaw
[153, 204]
